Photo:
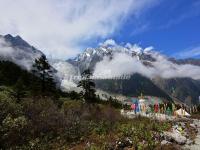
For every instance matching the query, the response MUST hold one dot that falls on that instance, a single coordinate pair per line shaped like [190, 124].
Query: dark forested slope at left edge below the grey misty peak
[25, 83]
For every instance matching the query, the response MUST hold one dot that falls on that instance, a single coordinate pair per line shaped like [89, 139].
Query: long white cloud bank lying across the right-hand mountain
[123, 64]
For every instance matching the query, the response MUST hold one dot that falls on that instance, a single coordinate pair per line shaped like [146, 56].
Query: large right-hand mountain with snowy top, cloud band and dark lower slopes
[152, 73]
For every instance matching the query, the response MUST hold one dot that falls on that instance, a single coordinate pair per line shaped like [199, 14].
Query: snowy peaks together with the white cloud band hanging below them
[112, 59]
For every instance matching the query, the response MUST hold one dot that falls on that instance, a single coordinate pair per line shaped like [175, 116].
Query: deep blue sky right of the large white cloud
[172, 27]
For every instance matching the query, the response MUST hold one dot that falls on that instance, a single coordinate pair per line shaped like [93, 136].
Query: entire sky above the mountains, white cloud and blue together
[64, 28]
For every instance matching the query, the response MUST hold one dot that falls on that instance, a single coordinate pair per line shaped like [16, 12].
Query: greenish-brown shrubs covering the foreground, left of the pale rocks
[40, 124]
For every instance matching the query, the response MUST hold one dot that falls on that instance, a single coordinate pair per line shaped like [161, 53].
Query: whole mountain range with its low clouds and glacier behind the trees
[151, 72]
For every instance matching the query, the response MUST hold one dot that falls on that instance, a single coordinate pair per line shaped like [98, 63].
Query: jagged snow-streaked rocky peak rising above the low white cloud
[91, 56]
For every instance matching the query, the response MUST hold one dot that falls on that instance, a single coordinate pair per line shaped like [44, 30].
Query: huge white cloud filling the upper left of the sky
[59, 26]
